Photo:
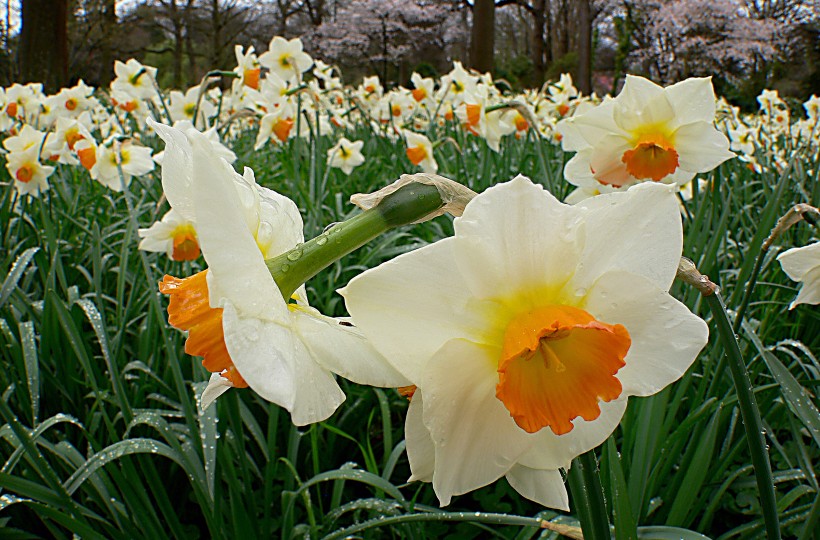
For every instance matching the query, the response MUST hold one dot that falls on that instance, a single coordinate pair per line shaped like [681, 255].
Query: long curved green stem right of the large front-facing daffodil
[751, 415]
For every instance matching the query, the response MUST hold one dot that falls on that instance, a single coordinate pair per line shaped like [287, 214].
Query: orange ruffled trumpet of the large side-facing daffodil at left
[189, 309]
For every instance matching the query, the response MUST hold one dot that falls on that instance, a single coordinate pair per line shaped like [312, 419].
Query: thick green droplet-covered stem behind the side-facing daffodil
[406, 205]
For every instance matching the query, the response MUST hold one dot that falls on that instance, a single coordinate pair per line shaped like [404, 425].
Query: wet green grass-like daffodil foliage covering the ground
[102, 436]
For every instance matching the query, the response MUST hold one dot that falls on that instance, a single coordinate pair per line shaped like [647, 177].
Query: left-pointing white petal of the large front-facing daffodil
[410, 306]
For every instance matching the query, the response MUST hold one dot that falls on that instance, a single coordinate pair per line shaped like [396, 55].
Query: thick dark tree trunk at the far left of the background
[44, 43]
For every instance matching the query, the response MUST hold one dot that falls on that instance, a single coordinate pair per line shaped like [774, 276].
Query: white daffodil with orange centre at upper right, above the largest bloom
[646, 133]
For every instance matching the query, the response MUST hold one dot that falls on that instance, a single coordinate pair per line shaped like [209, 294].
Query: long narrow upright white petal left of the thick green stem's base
[236, 266]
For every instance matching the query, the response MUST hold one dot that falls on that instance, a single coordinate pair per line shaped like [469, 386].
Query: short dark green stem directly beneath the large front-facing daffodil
[588, 496]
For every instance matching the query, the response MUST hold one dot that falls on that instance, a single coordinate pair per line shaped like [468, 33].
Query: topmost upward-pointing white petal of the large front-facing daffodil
[516, 237]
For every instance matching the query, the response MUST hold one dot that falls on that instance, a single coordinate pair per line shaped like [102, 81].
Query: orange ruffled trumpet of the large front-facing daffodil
[557, 363]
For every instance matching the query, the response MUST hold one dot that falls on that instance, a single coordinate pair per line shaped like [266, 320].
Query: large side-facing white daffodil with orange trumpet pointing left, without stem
[234, 312]
